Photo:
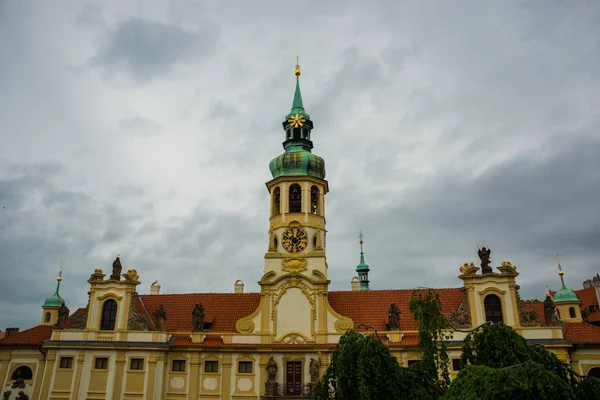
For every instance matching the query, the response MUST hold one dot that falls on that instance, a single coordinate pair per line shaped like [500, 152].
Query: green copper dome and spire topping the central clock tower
[298, 159]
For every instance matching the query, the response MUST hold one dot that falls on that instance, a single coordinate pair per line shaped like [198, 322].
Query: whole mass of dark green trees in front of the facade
[497, 363]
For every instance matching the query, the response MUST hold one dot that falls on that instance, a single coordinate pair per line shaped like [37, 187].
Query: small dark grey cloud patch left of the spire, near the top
[144, 50]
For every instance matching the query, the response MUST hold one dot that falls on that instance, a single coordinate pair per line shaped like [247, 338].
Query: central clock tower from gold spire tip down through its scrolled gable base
[294, 304]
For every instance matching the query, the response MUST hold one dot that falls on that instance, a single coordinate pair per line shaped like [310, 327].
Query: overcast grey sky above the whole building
[145, 129]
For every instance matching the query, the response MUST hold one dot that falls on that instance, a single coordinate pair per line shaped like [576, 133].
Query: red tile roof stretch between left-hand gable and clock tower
[222, 309]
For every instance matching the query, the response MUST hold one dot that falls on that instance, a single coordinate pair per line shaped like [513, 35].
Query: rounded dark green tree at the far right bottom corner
[497, 363]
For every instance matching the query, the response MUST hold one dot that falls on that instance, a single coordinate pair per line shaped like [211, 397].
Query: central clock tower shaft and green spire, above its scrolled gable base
[297, 192]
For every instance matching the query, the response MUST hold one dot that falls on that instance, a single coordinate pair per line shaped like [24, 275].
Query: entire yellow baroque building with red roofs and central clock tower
[267, 345]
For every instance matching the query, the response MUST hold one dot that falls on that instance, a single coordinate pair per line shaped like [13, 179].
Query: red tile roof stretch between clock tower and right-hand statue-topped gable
[371, 307]
